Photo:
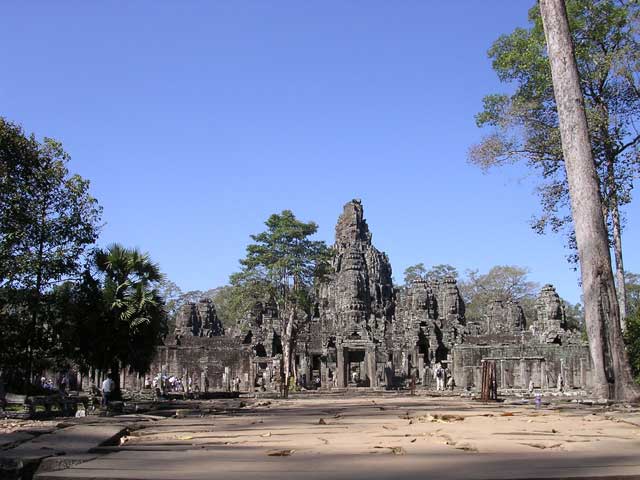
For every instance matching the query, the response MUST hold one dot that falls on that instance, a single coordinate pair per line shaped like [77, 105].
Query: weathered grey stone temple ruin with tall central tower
[364, 332]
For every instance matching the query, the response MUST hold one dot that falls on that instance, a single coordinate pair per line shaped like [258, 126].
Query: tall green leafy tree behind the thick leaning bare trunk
[524, 126]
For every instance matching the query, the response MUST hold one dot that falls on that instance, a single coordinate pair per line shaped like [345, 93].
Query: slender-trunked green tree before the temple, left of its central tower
[280, 267]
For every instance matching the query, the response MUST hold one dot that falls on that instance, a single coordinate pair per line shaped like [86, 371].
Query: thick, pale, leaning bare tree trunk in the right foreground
[610, 365]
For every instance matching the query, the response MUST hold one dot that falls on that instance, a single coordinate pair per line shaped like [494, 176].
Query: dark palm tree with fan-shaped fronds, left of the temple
[134, 308]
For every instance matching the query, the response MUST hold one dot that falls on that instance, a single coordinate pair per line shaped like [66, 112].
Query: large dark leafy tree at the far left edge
[48, 219]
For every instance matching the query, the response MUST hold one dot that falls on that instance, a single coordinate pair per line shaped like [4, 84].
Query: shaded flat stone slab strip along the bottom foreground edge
[237, 464]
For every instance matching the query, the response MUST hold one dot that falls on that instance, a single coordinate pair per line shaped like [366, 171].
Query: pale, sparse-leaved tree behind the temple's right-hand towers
[503, 282]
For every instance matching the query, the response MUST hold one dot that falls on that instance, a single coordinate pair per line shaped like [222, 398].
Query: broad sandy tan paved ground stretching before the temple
[379, 436]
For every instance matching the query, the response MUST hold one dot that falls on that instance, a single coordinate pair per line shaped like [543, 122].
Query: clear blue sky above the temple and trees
[196, 120]
